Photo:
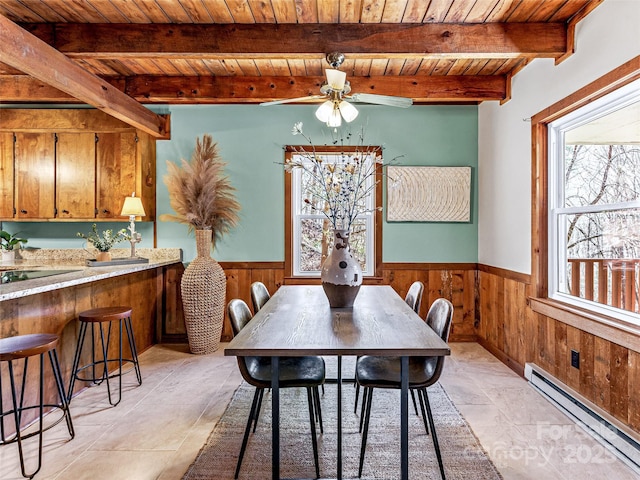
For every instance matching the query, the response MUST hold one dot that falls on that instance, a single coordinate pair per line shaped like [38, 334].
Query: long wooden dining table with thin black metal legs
[298, 321]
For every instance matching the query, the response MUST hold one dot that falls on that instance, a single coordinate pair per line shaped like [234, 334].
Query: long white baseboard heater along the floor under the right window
[616, 437]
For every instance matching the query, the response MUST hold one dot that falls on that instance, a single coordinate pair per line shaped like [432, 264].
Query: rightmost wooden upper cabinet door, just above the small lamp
[116, 172]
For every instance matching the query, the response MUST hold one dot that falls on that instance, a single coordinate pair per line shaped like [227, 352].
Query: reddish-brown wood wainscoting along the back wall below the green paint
[453, 281]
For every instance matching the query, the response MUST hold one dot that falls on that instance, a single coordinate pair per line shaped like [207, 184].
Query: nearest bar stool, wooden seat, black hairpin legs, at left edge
[23, 347]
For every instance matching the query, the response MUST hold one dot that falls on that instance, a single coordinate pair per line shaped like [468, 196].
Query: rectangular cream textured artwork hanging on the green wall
[428, 194]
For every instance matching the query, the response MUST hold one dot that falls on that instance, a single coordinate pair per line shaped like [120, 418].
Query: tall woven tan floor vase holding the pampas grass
[203, 290]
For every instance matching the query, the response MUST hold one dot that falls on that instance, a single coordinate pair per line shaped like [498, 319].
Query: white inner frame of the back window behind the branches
[297, 216]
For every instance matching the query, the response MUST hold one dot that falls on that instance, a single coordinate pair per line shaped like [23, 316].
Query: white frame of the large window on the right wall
[557, 272]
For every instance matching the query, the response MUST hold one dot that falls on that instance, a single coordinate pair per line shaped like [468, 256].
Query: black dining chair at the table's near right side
[384, 372]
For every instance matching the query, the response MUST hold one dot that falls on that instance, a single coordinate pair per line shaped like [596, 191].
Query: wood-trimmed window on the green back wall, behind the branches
[309, 234]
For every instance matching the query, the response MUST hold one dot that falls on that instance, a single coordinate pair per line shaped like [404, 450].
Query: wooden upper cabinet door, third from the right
[34, 175]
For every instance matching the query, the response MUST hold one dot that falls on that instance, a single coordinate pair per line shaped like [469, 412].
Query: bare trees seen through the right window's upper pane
[601, 174]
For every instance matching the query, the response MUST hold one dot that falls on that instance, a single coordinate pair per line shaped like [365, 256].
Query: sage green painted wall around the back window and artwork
[251, 140]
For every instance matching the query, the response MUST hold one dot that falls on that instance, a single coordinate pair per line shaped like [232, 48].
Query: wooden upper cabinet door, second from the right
[76, 175]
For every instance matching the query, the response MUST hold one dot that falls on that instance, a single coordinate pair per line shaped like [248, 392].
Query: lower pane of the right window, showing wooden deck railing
[603, 257]
